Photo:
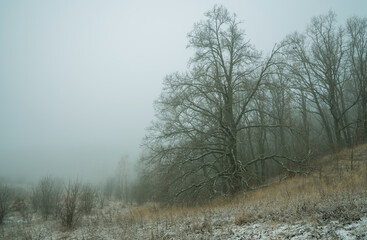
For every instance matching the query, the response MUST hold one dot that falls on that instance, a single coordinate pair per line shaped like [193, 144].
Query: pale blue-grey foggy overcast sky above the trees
[78, 78]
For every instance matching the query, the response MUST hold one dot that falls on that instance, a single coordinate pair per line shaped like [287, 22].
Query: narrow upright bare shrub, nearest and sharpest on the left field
[69, 212]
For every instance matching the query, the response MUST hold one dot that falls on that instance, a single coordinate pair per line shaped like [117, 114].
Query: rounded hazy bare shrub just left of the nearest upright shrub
[46, 195]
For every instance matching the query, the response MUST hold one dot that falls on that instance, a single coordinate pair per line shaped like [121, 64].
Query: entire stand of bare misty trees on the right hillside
[237, 117]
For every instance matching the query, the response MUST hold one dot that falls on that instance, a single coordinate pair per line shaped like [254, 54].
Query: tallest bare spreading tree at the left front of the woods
[202, 112]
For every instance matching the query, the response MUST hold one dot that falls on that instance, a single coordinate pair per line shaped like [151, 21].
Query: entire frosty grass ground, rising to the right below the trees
[331, 203]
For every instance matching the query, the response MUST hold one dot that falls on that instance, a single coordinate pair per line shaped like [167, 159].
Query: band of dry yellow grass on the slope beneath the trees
[292, 198]
